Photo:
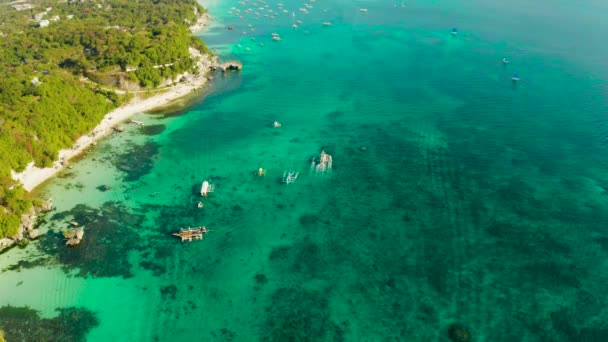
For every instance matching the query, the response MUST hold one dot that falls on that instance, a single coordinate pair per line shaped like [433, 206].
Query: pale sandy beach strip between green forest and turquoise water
[33, 176]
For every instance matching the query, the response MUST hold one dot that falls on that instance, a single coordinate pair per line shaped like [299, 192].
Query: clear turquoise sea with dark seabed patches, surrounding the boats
[462, 206]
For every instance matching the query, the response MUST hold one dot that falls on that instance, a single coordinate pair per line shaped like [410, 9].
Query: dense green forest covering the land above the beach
[60, 60]
